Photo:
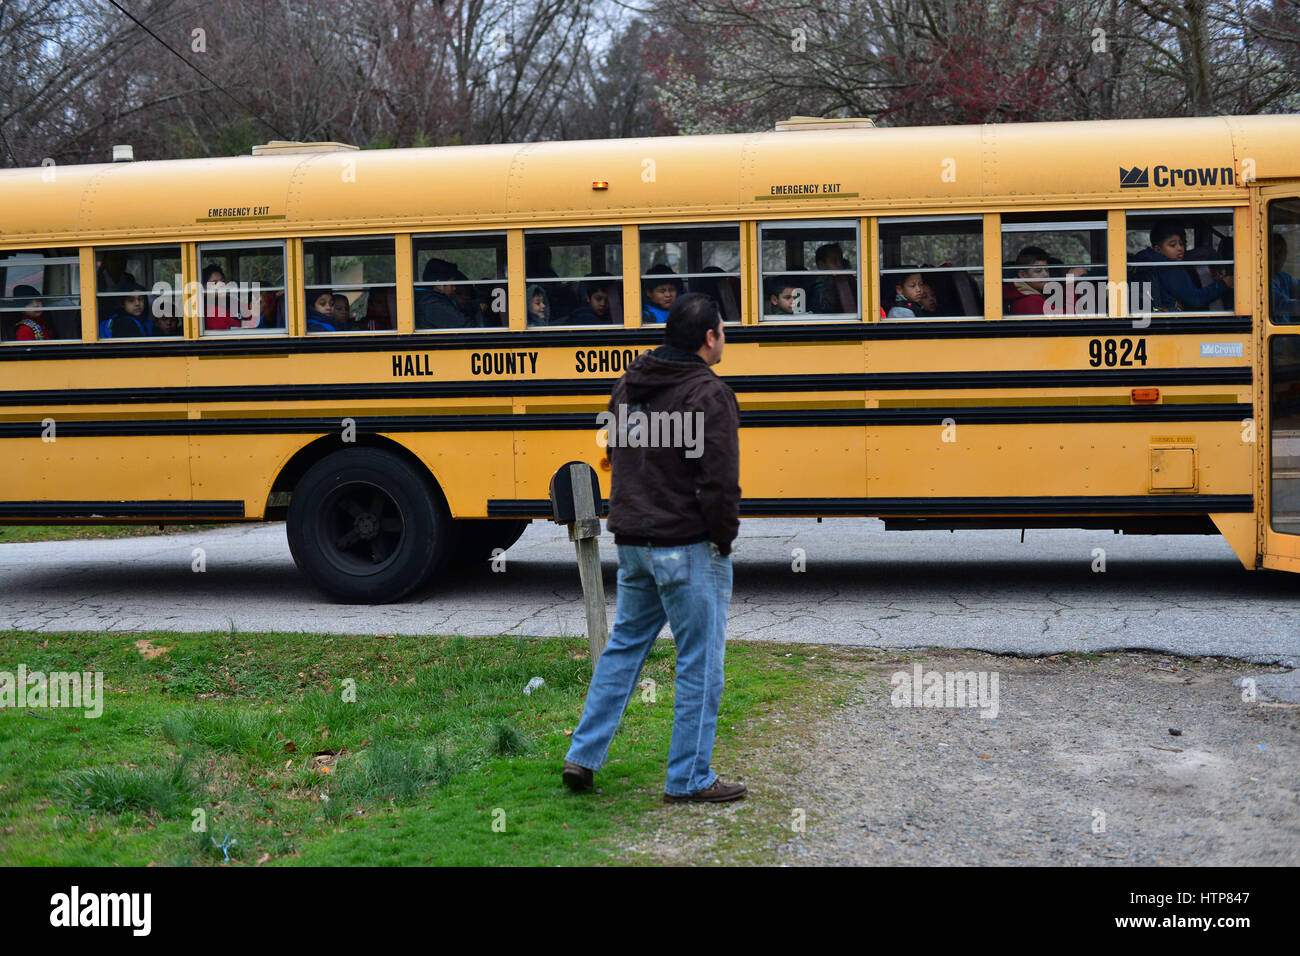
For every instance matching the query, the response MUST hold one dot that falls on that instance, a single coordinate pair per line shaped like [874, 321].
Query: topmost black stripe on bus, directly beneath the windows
[1165, 325]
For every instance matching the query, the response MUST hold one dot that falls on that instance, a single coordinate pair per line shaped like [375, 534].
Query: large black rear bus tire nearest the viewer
[367, 527]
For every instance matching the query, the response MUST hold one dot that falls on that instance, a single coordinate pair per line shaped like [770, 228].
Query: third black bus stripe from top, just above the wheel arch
[762, 418]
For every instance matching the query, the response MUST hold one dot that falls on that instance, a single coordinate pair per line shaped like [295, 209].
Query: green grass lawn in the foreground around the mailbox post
[346, 750]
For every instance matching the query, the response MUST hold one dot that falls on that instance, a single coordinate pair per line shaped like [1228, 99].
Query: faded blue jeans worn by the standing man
[690, 587]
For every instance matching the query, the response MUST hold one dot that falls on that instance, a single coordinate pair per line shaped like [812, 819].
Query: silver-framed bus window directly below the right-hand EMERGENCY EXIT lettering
[809, 270]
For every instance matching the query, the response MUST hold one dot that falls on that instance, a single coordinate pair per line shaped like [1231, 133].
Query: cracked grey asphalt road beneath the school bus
[861, 586]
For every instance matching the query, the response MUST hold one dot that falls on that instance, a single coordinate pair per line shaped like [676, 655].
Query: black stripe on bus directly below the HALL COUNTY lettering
[514, 388]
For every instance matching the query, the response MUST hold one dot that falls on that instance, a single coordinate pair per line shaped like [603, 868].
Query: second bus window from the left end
[138, 292]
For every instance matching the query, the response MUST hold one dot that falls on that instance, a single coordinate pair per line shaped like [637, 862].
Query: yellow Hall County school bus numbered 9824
[395, 351]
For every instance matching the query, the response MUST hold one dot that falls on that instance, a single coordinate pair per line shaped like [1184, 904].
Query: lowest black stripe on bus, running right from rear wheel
[943, 508]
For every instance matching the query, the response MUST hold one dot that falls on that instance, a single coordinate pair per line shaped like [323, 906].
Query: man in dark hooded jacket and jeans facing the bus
[674, 512]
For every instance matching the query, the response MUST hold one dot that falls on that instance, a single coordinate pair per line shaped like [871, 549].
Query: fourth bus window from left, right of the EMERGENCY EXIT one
[350, 284]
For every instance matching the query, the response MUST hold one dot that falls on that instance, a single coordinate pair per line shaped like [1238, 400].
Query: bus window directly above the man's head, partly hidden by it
[699, 259]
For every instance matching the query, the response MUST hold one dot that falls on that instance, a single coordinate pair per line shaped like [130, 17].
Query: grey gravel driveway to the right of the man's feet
[1078, 768]
